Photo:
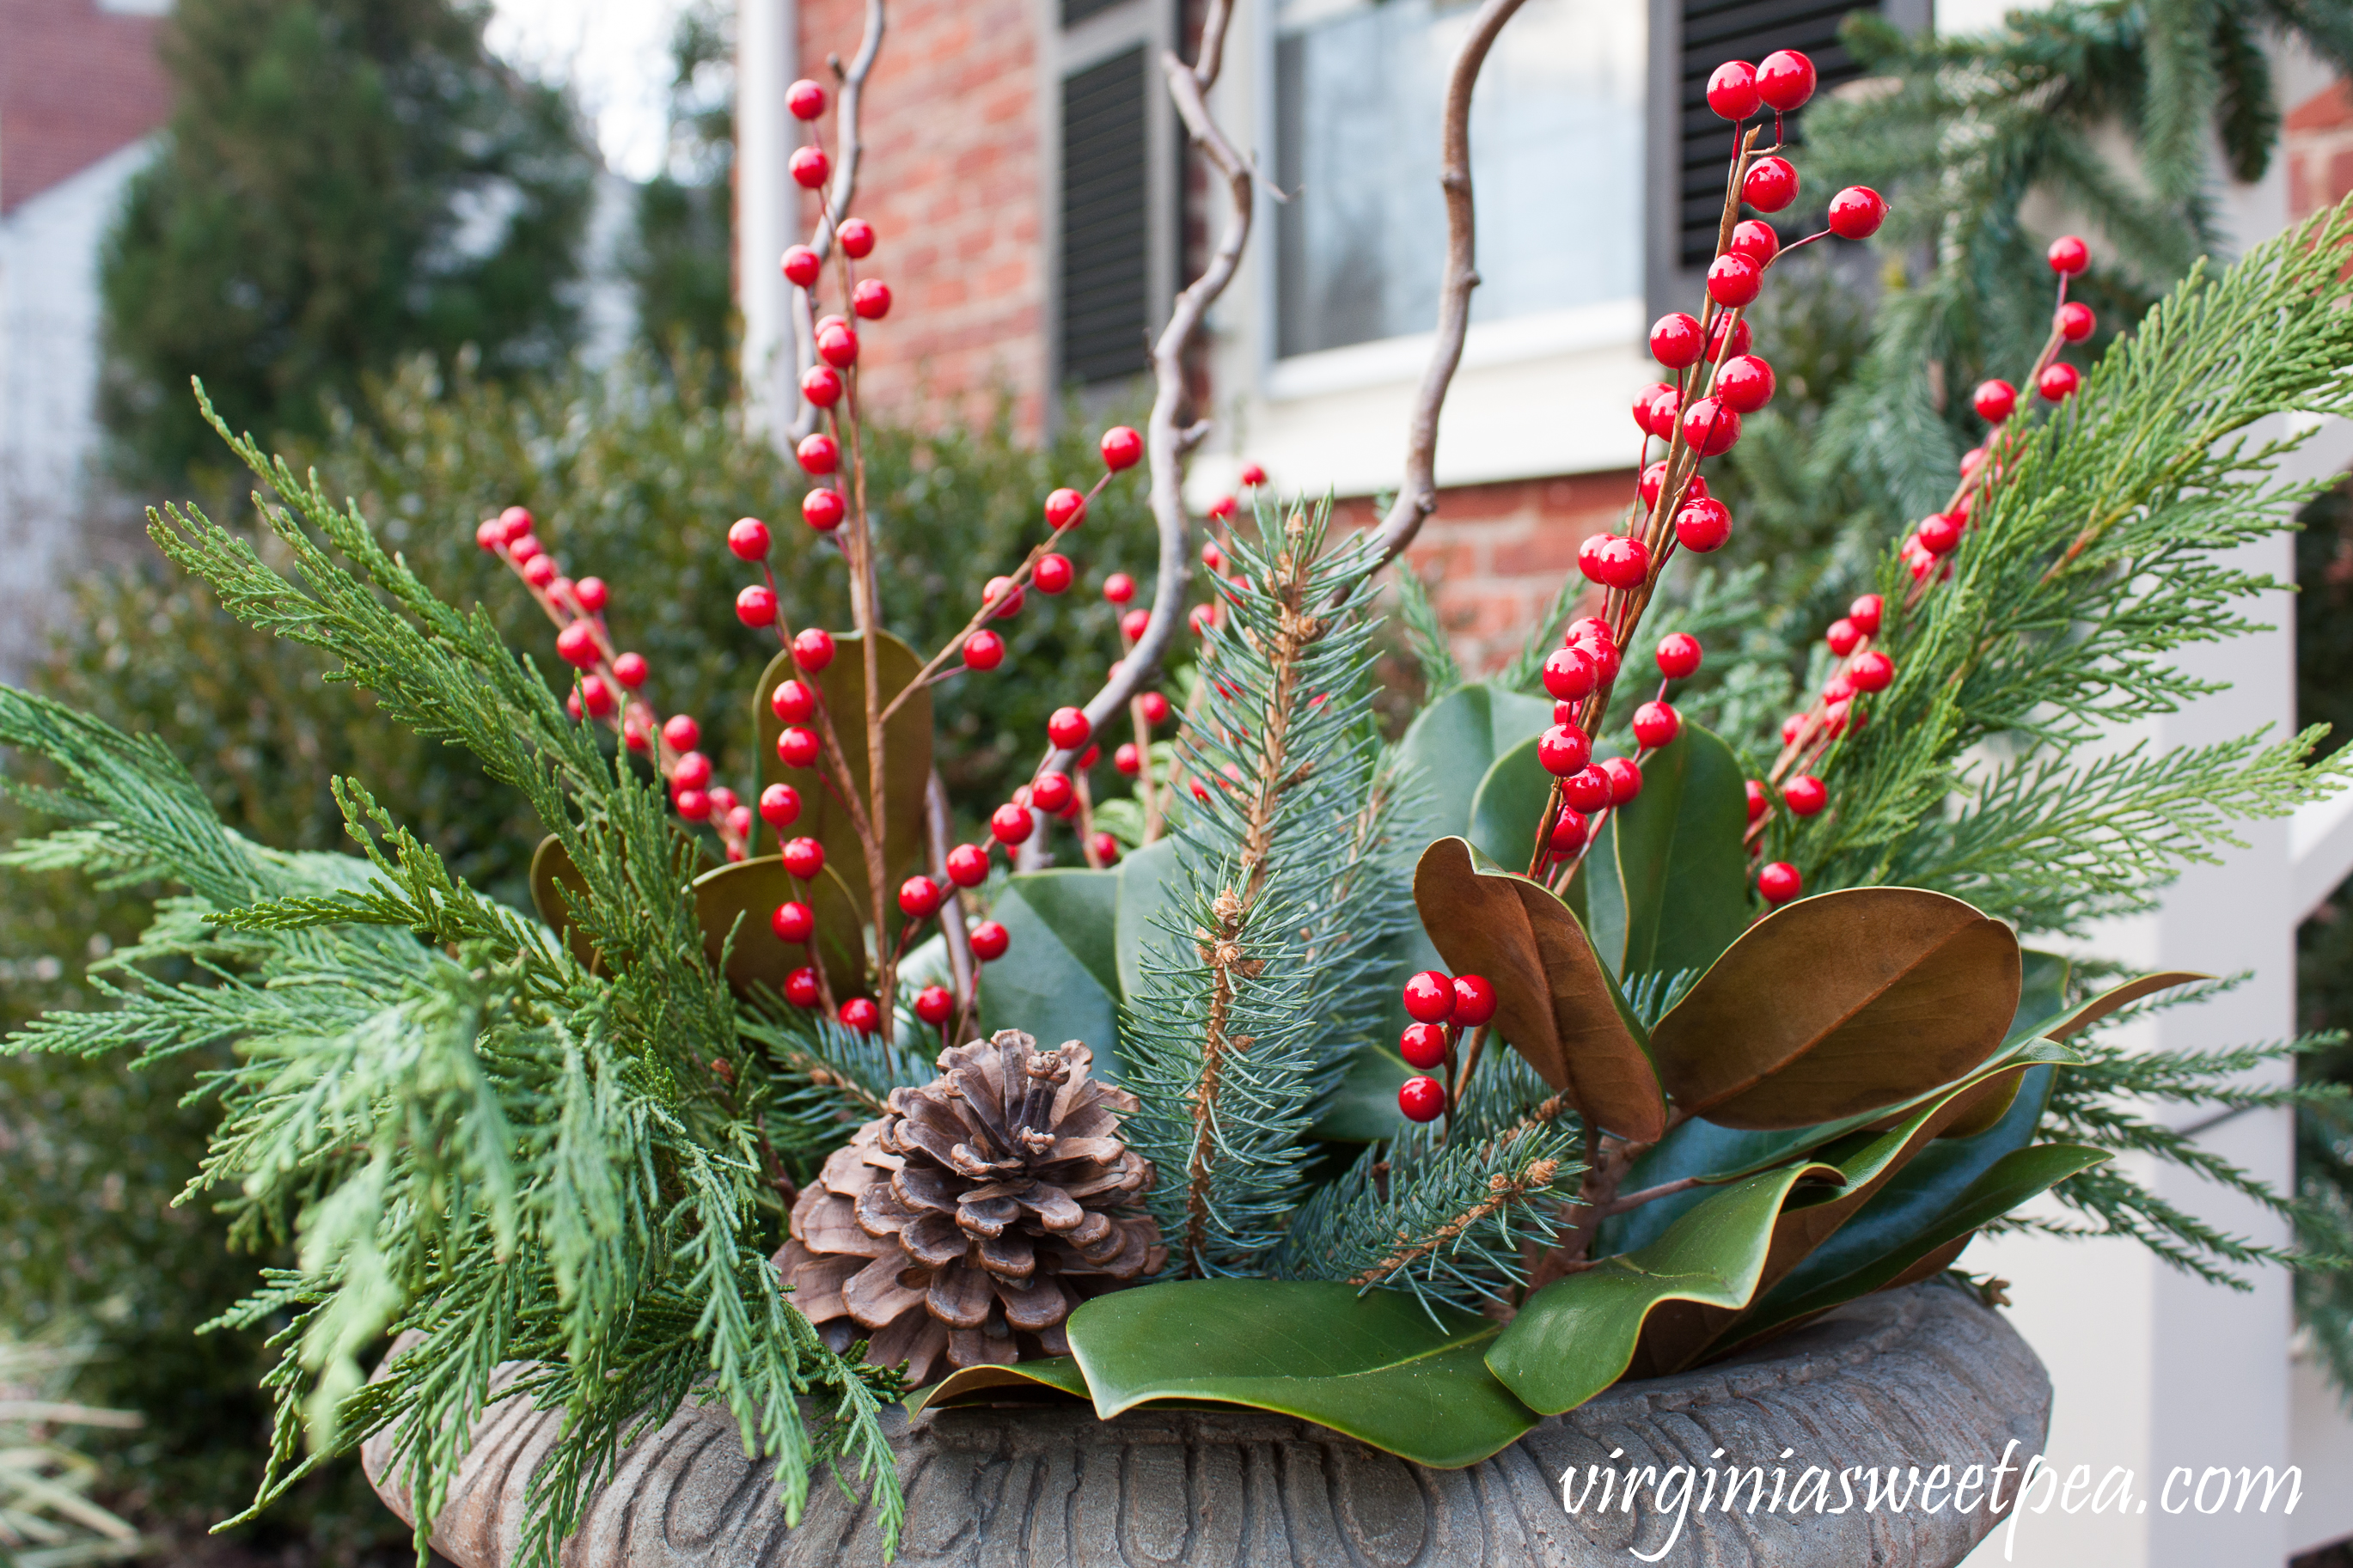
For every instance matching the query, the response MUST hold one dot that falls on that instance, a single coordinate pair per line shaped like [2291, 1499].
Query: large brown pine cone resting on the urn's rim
[975, 1214]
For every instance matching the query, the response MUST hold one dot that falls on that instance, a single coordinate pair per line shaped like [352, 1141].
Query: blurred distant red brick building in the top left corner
[76, 83]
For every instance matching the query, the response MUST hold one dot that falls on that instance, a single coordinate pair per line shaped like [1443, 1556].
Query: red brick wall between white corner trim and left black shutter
[952, 185]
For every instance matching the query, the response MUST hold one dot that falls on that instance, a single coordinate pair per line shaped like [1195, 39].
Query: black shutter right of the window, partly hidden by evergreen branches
[1740, 29]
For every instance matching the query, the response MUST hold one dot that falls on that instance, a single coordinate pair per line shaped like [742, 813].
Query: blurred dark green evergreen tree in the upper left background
[345, 182]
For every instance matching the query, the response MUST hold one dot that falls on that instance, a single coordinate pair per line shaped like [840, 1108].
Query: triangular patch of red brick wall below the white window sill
[1498, 554]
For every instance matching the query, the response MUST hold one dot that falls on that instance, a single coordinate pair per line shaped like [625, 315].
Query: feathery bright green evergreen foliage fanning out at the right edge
[2095, 558]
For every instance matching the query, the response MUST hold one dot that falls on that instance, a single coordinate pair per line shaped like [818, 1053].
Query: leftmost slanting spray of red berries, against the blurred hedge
[606, 683]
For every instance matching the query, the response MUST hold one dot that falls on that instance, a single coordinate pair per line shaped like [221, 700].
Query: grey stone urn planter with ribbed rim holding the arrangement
[1912, 1379]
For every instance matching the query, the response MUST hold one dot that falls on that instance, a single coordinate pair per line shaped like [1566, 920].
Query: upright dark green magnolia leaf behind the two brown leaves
[1667, 880]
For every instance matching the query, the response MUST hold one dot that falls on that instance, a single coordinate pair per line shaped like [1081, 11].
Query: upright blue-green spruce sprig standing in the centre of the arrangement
[1277, 953]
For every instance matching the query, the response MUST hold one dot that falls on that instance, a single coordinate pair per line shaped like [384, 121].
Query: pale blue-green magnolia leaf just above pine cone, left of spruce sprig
[1060, 977]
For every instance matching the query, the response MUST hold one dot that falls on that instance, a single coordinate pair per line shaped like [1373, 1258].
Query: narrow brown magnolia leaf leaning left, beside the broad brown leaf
[1554, 1000]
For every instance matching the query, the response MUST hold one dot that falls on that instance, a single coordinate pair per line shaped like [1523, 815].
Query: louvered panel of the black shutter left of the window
[1105, 222]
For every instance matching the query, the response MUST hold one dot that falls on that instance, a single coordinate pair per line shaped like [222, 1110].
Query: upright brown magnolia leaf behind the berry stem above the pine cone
[907, 775]
